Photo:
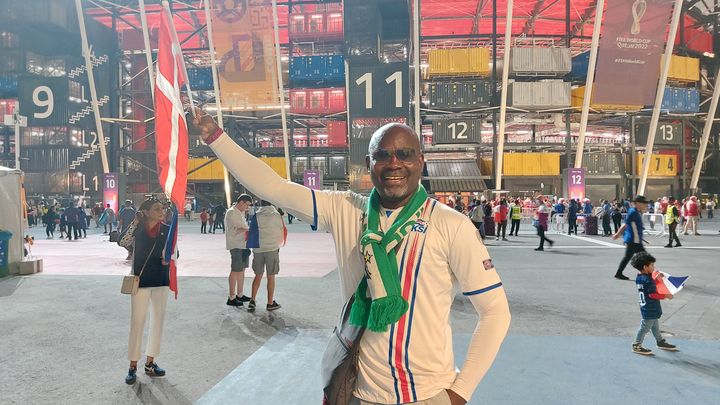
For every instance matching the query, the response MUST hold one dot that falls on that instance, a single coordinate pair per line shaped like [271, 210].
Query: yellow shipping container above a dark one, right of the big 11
[459, 62]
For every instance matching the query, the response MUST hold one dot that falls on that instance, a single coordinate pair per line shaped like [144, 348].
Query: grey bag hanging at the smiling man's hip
[339, 362]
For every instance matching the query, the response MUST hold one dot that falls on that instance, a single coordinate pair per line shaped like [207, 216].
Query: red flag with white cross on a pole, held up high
[171, 133]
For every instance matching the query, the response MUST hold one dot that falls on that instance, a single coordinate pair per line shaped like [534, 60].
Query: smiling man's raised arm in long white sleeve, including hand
[253, 173]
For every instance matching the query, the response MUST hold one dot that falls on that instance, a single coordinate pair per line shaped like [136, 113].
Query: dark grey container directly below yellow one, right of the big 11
[461, 95]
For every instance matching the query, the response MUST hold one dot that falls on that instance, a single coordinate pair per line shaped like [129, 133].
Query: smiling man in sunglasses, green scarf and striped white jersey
[399, 252]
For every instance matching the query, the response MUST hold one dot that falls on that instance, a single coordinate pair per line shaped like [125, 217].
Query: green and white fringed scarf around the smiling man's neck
[386, 305]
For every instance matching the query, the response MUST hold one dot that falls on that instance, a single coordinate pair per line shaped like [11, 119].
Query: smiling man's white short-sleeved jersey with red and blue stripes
[413, 360]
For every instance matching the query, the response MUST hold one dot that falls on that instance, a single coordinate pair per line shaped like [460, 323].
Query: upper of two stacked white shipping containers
[538, 61]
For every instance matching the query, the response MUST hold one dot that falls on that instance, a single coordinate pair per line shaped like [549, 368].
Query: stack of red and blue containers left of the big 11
[317, 92]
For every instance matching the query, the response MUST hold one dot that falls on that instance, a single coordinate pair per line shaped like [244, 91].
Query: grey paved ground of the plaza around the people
[64, 332]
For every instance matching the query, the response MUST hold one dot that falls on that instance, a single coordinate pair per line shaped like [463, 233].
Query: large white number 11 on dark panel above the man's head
[379, 90]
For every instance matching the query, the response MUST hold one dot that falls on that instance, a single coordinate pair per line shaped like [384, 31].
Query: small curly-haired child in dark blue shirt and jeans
[650, 308]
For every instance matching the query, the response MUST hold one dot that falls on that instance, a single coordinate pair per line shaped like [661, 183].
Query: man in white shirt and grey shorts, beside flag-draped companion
[236, 227]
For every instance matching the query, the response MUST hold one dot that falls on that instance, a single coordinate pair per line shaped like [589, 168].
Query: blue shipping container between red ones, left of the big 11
[314, 70]
